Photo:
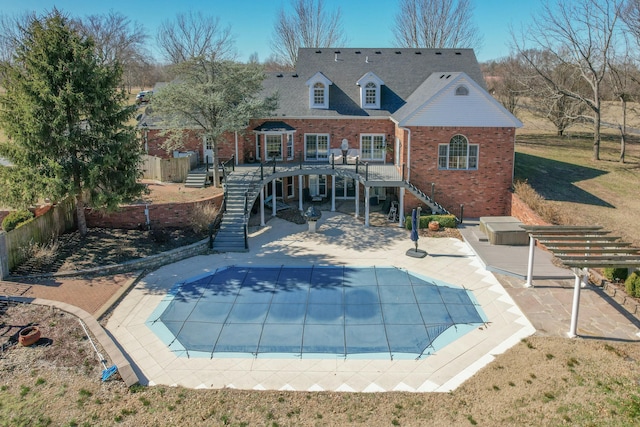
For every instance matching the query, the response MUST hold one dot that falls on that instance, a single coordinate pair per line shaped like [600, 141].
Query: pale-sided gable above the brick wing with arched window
[435, 103]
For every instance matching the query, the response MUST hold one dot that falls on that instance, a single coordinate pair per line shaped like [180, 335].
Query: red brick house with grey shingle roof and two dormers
[425, 112]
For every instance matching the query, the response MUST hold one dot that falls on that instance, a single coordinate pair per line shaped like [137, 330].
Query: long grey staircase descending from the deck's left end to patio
[231, 235]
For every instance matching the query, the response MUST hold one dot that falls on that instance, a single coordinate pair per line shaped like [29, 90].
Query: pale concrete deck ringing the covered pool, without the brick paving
[340, 240]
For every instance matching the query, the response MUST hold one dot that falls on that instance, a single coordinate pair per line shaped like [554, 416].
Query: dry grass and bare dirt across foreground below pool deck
[540, 381]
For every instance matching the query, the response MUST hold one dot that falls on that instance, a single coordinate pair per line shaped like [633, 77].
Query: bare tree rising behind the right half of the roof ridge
[436, 24]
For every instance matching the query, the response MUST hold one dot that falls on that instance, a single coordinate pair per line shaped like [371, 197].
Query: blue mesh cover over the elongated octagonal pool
[372, 312]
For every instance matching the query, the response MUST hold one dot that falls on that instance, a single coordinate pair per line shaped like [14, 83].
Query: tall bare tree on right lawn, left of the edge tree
[581, 34]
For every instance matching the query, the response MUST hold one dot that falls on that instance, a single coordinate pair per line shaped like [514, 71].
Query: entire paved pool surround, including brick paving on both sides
[343, 241]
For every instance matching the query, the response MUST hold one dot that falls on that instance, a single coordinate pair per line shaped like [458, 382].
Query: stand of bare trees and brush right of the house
[574, 56]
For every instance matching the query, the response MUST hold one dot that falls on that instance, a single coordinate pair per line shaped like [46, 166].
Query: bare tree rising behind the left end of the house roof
[309, 25]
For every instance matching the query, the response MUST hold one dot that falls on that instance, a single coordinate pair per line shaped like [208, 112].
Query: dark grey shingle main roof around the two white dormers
[402, 70]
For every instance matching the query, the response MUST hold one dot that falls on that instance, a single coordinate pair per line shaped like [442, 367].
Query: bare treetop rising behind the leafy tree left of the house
[194, 35]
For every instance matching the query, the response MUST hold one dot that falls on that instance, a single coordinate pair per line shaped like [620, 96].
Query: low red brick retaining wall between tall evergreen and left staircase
[161, 215]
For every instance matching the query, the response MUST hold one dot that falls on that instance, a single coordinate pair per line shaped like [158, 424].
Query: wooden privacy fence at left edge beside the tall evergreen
[40, 230]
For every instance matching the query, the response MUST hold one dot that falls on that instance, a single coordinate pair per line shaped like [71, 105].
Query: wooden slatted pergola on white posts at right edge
[580, 248]
